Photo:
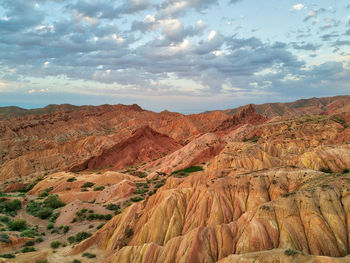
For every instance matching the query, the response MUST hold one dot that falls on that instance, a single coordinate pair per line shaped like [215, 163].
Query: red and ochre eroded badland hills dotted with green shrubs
[129, 185]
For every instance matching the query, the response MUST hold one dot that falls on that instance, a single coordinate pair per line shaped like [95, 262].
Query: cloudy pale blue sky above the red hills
[181, 55]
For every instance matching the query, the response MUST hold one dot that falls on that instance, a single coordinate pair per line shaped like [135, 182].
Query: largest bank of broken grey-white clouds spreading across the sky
[157, 48]
